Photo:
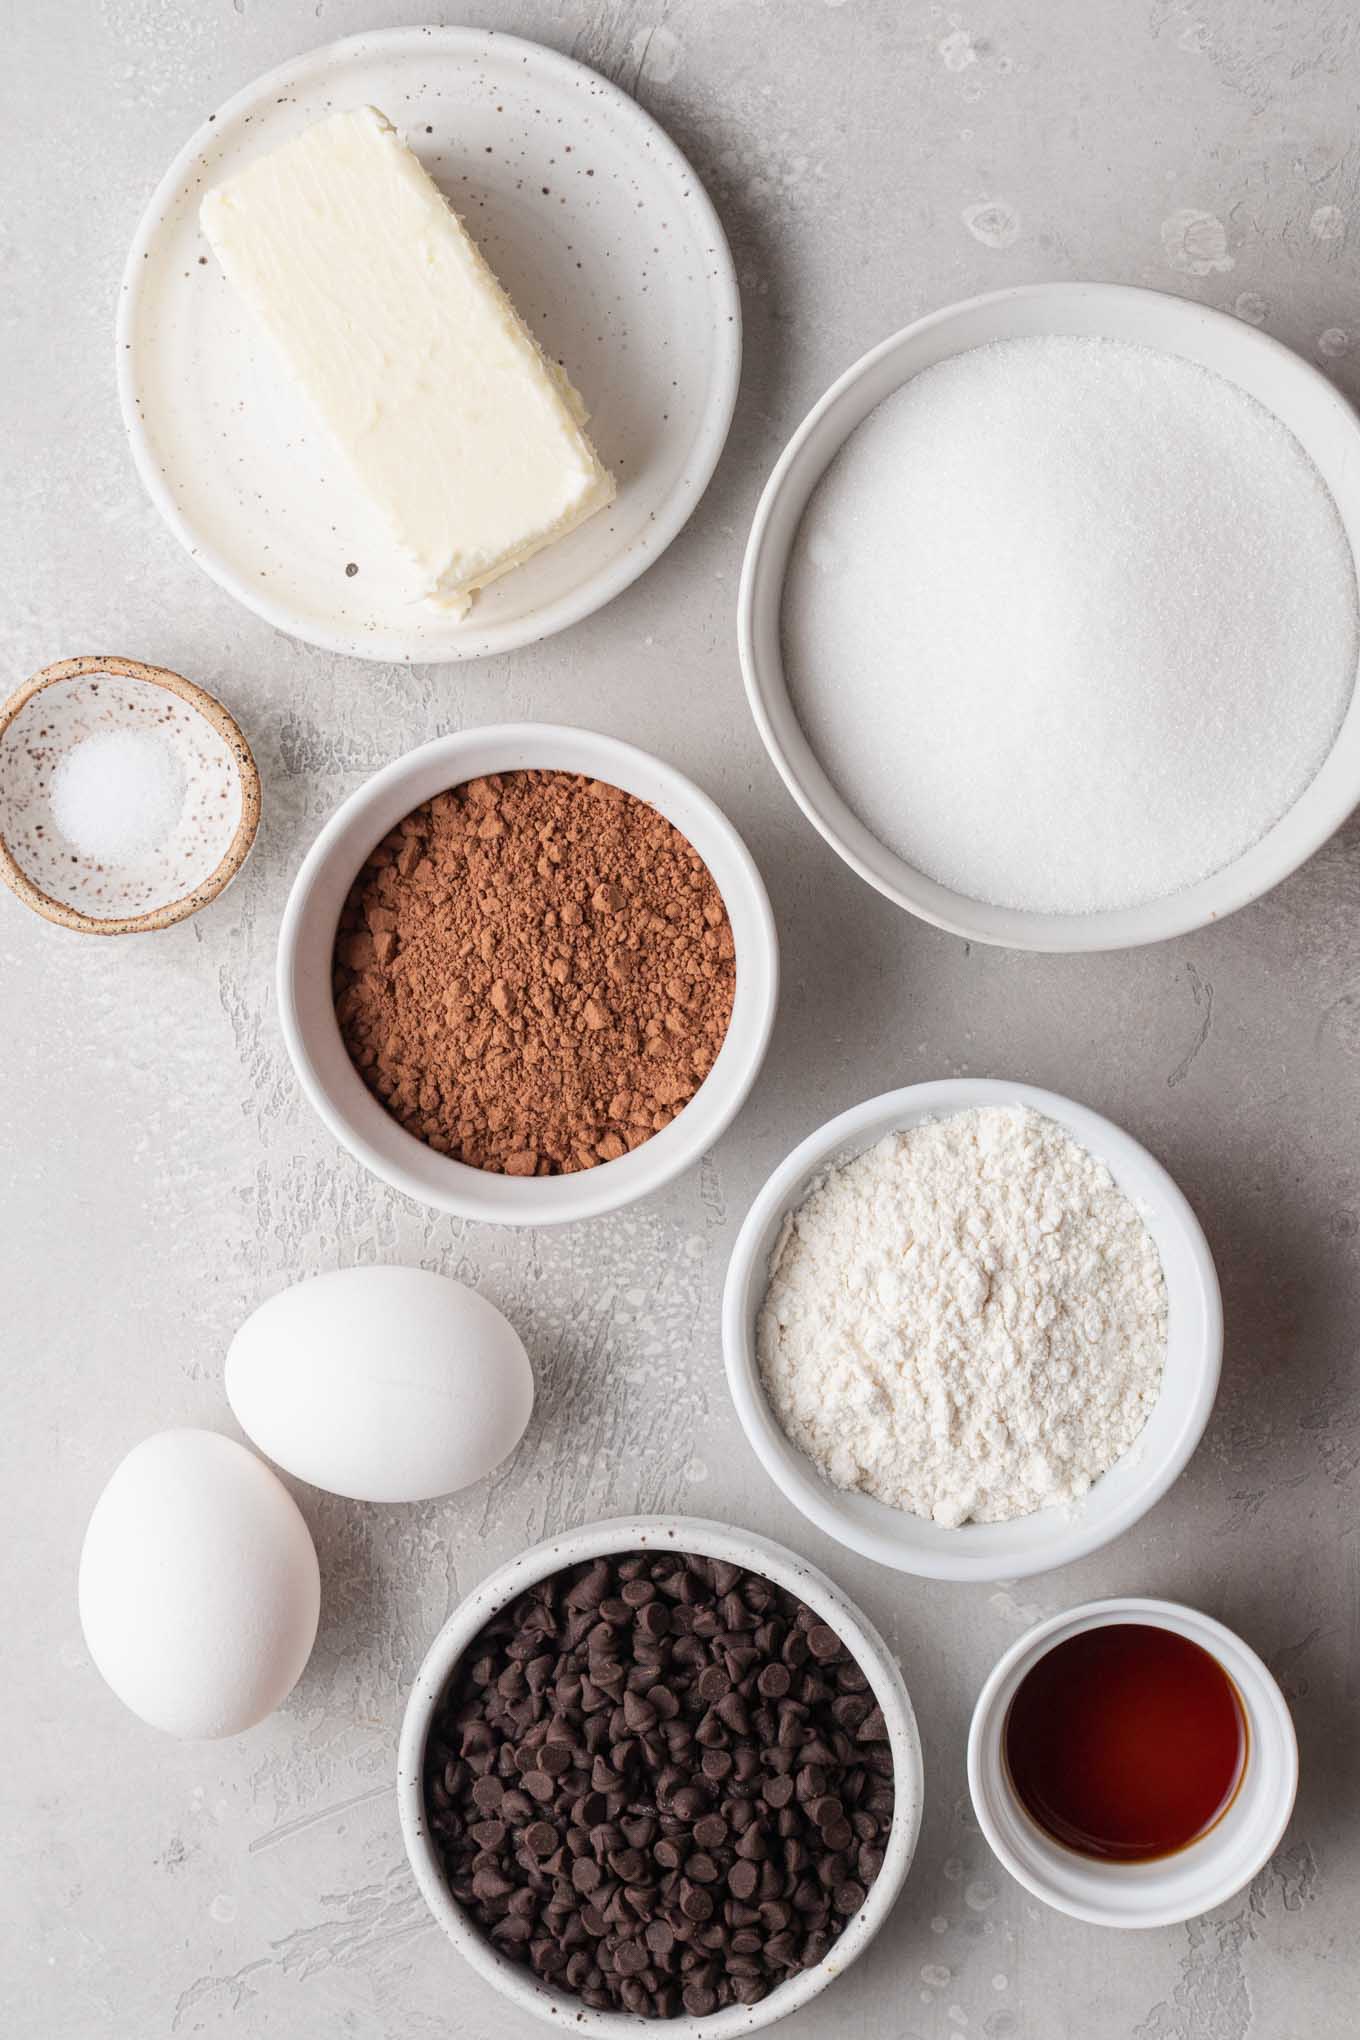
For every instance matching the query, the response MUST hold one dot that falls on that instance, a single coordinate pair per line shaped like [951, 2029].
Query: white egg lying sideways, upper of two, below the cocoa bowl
[382, 1384]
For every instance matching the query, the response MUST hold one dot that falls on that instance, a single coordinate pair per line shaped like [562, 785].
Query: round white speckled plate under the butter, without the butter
[598, 229]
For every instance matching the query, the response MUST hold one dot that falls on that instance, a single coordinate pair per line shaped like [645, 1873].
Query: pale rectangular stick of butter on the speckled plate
[456, 423]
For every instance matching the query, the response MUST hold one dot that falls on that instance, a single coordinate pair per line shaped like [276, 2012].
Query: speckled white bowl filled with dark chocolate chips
[660, 1772]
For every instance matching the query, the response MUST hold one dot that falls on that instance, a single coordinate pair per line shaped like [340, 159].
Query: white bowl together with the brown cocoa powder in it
[527, 974]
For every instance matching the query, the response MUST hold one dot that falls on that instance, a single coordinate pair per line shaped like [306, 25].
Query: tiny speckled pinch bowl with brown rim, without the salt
[203, 852]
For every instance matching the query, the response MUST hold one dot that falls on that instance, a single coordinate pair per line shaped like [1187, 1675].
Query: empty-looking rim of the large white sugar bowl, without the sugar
[1300, 397]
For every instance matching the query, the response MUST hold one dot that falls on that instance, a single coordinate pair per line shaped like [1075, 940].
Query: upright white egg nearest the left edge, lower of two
[199, 1586]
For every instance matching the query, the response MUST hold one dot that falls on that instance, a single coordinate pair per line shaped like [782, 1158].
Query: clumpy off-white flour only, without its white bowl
[967, 1321]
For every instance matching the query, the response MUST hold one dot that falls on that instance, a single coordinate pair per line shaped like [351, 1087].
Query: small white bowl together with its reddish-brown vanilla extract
[1133, 1764]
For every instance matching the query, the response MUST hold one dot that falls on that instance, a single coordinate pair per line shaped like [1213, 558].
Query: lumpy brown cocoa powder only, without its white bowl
[535, 972]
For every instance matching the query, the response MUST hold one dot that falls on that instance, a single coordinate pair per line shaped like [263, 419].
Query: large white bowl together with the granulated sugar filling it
[1049, 617]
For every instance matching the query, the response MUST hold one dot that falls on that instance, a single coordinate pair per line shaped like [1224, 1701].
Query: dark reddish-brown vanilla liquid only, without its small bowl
[1127, 1743]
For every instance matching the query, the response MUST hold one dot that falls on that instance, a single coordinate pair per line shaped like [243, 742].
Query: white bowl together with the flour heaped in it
[972, 1329]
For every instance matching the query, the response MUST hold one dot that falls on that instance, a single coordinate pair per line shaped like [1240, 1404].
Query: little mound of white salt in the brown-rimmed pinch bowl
[117, 797]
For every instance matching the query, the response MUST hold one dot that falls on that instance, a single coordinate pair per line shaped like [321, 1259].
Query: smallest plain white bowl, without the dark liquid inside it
[1175, 1888]
